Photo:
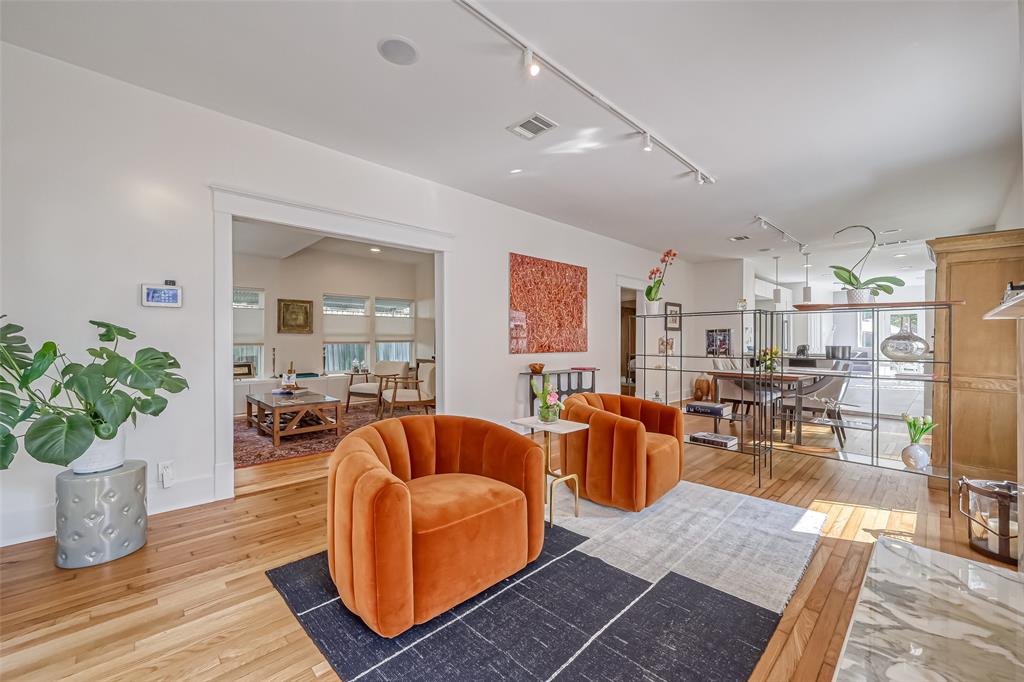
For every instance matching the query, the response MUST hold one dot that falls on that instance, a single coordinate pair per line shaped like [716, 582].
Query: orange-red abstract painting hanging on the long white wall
[547, 307]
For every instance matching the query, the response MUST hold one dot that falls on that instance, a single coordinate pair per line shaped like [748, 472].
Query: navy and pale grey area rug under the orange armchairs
[690, 589]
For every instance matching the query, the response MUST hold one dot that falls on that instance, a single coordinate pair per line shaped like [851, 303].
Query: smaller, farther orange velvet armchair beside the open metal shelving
[631, 455]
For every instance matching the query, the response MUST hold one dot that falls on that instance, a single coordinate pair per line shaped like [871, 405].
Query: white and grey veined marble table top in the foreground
[923, 616]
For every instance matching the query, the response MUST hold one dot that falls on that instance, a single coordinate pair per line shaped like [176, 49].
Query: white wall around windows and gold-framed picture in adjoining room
[313, 273]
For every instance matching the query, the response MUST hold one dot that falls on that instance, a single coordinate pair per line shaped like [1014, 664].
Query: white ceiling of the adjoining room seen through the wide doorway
[269, 240]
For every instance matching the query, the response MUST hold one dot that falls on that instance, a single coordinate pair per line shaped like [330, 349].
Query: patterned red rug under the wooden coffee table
[252, 447]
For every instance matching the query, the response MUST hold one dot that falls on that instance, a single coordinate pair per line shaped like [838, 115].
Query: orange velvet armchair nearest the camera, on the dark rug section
[426, 511]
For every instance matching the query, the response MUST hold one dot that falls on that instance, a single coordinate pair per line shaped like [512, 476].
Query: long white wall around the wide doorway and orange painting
[107, 186]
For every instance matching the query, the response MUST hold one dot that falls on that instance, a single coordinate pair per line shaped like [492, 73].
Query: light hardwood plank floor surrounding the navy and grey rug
[195, 604]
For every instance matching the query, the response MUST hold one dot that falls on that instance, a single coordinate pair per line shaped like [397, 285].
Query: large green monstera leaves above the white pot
[68, 406]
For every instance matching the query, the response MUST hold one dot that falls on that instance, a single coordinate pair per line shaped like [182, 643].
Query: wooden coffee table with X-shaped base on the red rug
[305, 414]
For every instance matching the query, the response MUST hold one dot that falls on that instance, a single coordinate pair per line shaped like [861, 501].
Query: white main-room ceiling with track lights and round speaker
[897, 115]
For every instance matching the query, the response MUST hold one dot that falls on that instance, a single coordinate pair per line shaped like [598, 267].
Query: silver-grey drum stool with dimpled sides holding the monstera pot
[100, 517]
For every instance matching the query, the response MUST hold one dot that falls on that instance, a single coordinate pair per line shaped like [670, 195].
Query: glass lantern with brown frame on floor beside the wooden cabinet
[994, 529]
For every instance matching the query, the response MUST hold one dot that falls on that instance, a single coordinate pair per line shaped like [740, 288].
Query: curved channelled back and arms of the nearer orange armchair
[370, 533]
